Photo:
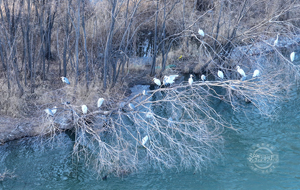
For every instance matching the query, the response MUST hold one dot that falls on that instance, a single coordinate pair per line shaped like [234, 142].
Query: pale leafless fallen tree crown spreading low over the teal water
[183, 127]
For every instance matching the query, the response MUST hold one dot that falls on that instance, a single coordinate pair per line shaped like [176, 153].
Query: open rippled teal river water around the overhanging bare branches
[39, 166]
